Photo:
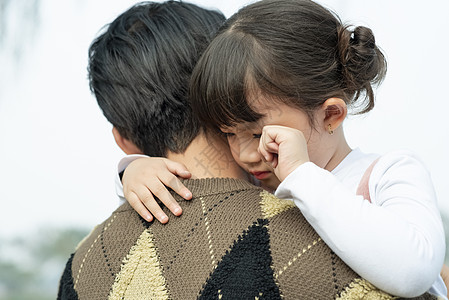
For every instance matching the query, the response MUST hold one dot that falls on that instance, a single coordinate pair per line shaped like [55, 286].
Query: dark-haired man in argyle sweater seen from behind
[234, 240]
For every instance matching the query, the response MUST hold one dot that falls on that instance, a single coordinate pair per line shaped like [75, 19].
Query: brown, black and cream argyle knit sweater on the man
[233, 241]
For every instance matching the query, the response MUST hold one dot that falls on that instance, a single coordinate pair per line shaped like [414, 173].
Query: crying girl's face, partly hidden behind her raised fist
[244, 138]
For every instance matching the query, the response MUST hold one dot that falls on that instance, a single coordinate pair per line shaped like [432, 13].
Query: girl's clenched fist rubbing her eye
[283, 148]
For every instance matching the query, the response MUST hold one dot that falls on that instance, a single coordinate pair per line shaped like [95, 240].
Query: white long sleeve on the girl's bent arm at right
[397, 242]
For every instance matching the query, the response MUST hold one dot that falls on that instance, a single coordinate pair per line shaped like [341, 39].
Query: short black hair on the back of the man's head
[140, 67]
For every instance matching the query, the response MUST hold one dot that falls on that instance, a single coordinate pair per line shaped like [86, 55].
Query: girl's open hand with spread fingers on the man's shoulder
[146, 178]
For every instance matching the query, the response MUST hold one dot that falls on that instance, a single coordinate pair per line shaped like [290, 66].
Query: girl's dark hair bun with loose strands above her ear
[362, 63]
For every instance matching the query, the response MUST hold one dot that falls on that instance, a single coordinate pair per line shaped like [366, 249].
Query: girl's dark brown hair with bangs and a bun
[293, 51]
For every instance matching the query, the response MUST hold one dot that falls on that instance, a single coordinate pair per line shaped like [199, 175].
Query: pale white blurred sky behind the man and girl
[57, 154]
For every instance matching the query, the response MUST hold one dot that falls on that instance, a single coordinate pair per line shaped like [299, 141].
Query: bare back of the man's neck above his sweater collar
[209, 157]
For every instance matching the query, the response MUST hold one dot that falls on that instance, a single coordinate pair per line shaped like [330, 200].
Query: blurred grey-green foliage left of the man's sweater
[30, 266]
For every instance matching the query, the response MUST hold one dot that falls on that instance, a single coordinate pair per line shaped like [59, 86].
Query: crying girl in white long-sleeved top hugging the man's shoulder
[277, 81]
